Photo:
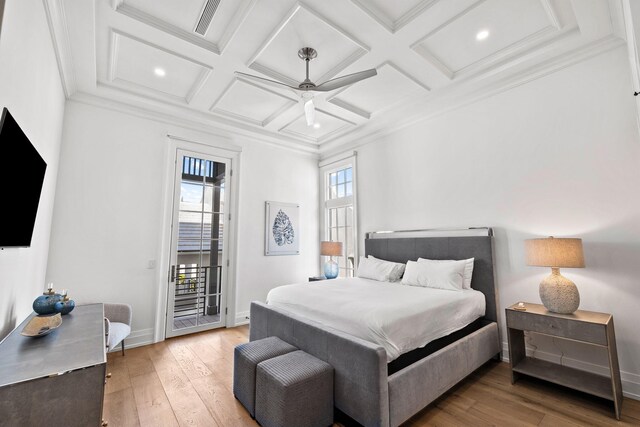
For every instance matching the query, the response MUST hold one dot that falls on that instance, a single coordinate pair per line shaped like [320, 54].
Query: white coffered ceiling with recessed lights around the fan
[176, 59]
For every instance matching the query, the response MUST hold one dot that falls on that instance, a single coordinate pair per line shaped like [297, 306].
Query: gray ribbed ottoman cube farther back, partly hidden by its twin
[245, 359]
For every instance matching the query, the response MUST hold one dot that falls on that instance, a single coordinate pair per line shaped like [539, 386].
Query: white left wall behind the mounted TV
[30, 88]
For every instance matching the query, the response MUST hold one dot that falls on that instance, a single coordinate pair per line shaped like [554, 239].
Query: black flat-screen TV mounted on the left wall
[21, 177]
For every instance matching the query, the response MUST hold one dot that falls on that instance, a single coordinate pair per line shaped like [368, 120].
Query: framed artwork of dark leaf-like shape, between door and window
[282, 230]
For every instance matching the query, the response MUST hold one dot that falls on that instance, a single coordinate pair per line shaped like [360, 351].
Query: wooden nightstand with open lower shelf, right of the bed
[584, 326]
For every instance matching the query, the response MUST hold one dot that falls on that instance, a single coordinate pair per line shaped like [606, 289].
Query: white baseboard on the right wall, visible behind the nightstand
[630, 381]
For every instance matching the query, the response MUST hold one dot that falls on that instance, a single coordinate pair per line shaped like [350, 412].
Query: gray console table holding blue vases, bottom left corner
[57, 379]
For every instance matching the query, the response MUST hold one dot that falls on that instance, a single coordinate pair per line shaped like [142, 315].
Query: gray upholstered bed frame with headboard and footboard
[364, 387]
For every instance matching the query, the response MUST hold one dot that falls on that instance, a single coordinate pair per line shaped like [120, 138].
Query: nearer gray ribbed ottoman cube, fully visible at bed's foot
[295, 389]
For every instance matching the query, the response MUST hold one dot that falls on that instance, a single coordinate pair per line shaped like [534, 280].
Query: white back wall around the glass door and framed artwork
[108, 217]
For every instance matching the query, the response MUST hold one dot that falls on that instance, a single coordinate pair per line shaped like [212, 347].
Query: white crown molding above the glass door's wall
[196, 121]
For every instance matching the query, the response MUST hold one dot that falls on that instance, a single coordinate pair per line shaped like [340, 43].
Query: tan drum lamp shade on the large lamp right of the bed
[552, 252]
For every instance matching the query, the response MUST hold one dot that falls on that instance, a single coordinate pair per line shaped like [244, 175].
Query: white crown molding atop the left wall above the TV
[57, 20]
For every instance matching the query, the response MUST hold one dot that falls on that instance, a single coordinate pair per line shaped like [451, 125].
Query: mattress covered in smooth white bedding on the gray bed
[399, 318]
